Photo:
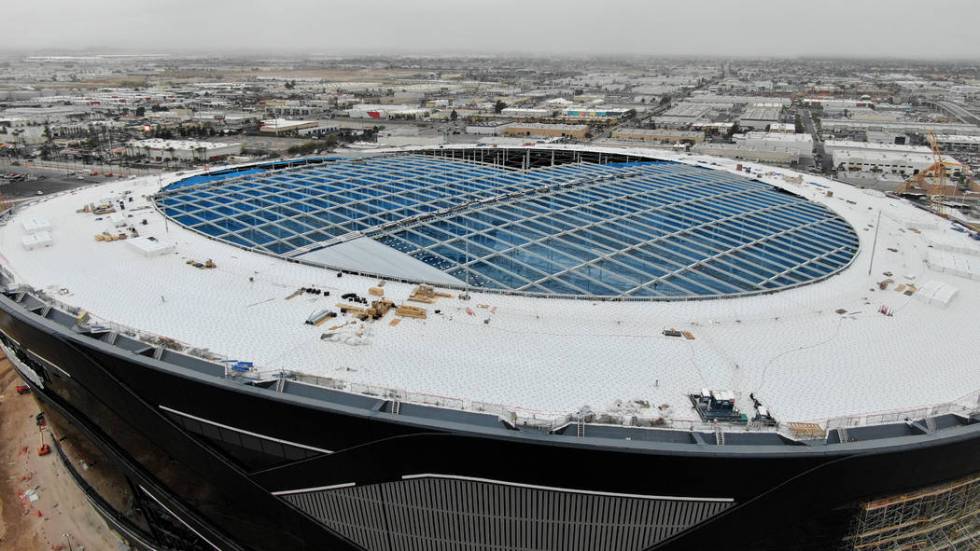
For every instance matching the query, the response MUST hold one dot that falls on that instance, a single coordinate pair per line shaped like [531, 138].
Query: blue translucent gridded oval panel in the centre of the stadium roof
[656, 229]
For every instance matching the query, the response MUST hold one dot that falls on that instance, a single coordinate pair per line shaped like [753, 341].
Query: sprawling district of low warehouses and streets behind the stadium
[897, 127]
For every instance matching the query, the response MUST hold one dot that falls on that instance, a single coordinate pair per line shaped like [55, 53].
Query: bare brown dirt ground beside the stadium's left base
[60, 518]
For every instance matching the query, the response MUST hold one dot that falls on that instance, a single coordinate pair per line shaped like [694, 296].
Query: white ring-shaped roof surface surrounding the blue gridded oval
[864, 342]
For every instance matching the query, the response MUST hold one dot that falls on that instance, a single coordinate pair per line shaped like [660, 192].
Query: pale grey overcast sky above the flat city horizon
[934, 29]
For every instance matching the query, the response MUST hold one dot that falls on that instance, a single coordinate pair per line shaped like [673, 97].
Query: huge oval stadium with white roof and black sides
[461, 348]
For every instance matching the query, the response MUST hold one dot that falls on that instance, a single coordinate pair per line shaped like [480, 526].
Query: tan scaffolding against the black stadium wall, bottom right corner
[946, 516]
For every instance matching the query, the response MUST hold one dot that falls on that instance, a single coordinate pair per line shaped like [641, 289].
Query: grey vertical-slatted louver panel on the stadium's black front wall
[465, 515]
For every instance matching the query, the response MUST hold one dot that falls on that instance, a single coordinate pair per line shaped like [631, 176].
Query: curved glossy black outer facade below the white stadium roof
[218, 463]
